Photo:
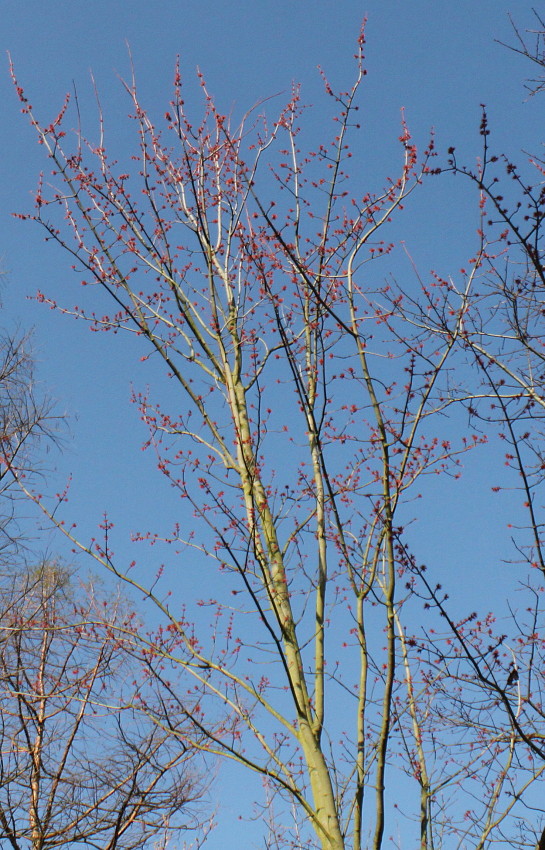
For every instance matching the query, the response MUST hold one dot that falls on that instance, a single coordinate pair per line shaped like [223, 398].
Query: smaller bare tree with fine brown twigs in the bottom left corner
[79, 764]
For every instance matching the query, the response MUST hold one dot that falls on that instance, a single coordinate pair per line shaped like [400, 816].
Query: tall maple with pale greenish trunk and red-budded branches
[310, 405]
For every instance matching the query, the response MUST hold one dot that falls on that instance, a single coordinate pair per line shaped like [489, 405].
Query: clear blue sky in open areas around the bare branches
[438, 60]
